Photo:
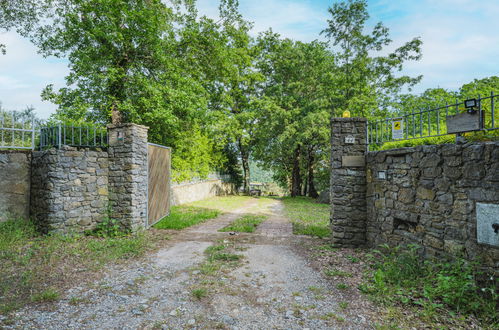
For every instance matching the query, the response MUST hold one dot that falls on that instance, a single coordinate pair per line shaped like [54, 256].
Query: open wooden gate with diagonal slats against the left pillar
[159, 158]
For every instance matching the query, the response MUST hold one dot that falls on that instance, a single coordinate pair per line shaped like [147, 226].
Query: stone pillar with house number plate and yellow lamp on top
[348, 181]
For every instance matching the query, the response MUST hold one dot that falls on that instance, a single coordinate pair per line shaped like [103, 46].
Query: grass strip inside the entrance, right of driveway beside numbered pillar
[308, 217]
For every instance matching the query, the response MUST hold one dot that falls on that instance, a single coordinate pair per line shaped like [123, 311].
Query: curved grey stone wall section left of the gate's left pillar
[69, 188]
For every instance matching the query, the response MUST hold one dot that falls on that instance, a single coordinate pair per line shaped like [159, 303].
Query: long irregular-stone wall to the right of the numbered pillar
[427, 195]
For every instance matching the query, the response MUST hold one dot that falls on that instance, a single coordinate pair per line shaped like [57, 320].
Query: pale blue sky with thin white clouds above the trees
[460, 42]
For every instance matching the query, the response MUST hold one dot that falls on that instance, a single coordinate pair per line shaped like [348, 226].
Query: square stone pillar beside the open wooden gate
[128, 177]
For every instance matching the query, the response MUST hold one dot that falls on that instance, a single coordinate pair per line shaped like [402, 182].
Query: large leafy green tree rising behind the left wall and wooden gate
[142, 61]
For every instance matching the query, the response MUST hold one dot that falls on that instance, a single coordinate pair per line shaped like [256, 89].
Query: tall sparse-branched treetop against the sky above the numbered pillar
[362, 82]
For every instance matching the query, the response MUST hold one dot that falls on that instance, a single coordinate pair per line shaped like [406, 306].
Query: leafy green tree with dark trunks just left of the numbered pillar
[290, 121]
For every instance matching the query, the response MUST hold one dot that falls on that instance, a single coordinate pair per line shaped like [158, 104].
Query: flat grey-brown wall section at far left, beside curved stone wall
[15, 172]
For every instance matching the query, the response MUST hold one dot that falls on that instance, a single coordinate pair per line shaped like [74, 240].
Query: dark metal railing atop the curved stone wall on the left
[76, 136]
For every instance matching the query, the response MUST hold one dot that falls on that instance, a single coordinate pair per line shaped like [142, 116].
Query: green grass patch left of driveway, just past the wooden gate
[183, 216]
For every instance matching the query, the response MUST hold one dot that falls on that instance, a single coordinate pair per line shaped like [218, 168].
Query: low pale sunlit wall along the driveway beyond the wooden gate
[191, 192]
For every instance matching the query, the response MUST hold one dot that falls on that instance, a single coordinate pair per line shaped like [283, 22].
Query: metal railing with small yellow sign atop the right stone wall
[430, 122]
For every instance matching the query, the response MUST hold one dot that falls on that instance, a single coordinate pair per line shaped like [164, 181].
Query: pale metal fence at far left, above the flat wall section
[17, 131]
